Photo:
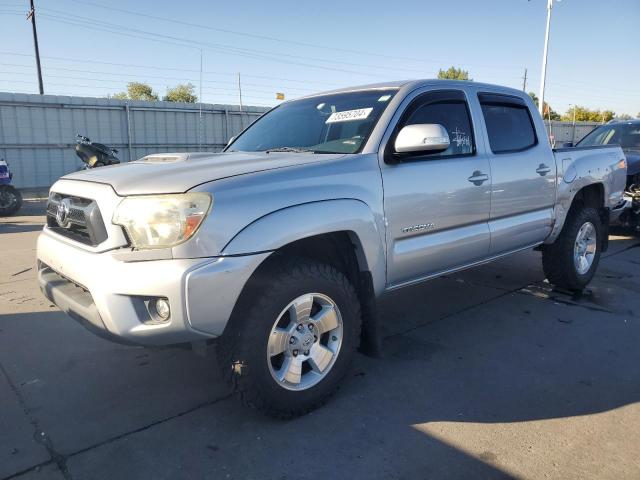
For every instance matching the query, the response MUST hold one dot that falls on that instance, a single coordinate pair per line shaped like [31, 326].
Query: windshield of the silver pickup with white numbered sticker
[338, 123]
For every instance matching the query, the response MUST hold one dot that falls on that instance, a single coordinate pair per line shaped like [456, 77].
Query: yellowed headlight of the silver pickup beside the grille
[158, 221]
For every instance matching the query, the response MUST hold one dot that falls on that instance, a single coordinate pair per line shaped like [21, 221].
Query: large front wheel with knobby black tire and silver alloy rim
[290, 342]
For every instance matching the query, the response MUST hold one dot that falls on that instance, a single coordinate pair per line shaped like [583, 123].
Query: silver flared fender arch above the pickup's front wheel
[297, 222]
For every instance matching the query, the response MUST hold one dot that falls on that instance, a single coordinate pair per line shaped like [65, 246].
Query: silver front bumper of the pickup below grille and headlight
[110, 296]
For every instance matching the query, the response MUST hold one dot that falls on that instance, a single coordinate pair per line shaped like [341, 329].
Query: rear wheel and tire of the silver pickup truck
[571, 261]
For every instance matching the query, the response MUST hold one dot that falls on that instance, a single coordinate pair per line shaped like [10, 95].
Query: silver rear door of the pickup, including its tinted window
[523, 171]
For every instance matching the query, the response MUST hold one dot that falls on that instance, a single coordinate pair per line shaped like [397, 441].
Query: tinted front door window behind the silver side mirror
[452, 115]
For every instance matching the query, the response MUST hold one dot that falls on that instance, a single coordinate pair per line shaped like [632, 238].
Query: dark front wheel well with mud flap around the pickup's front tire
[343, 251]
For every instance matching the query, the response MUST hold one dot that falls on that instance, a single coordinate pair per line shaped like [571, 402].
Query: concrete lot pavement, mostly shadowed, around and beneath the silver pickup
[487, 373]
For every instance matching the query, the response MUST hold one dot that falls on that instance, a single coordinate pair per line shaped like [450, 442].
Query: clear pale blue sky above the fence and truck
[94, 47]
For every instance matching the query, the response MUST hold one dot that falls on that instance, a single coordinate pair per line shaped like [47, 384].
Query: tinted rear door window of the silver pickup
[509, 127]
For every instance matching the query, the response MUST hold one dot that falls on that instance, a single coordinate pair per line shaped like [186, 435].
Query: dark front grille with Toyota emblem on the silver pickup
[76, 218]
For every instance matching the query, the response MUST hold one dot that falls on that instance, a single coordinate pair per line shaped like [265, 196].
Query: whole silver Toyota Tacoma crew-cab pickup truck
[279, 246]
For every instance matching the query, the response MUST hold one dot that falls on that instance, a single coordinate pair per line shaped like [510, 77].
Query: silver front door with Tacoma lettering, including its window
[436, 205]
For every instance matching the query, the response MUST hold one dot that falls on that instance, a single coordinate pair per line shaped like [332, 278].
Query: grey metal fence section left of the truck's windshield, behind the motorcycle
[37, 132]
